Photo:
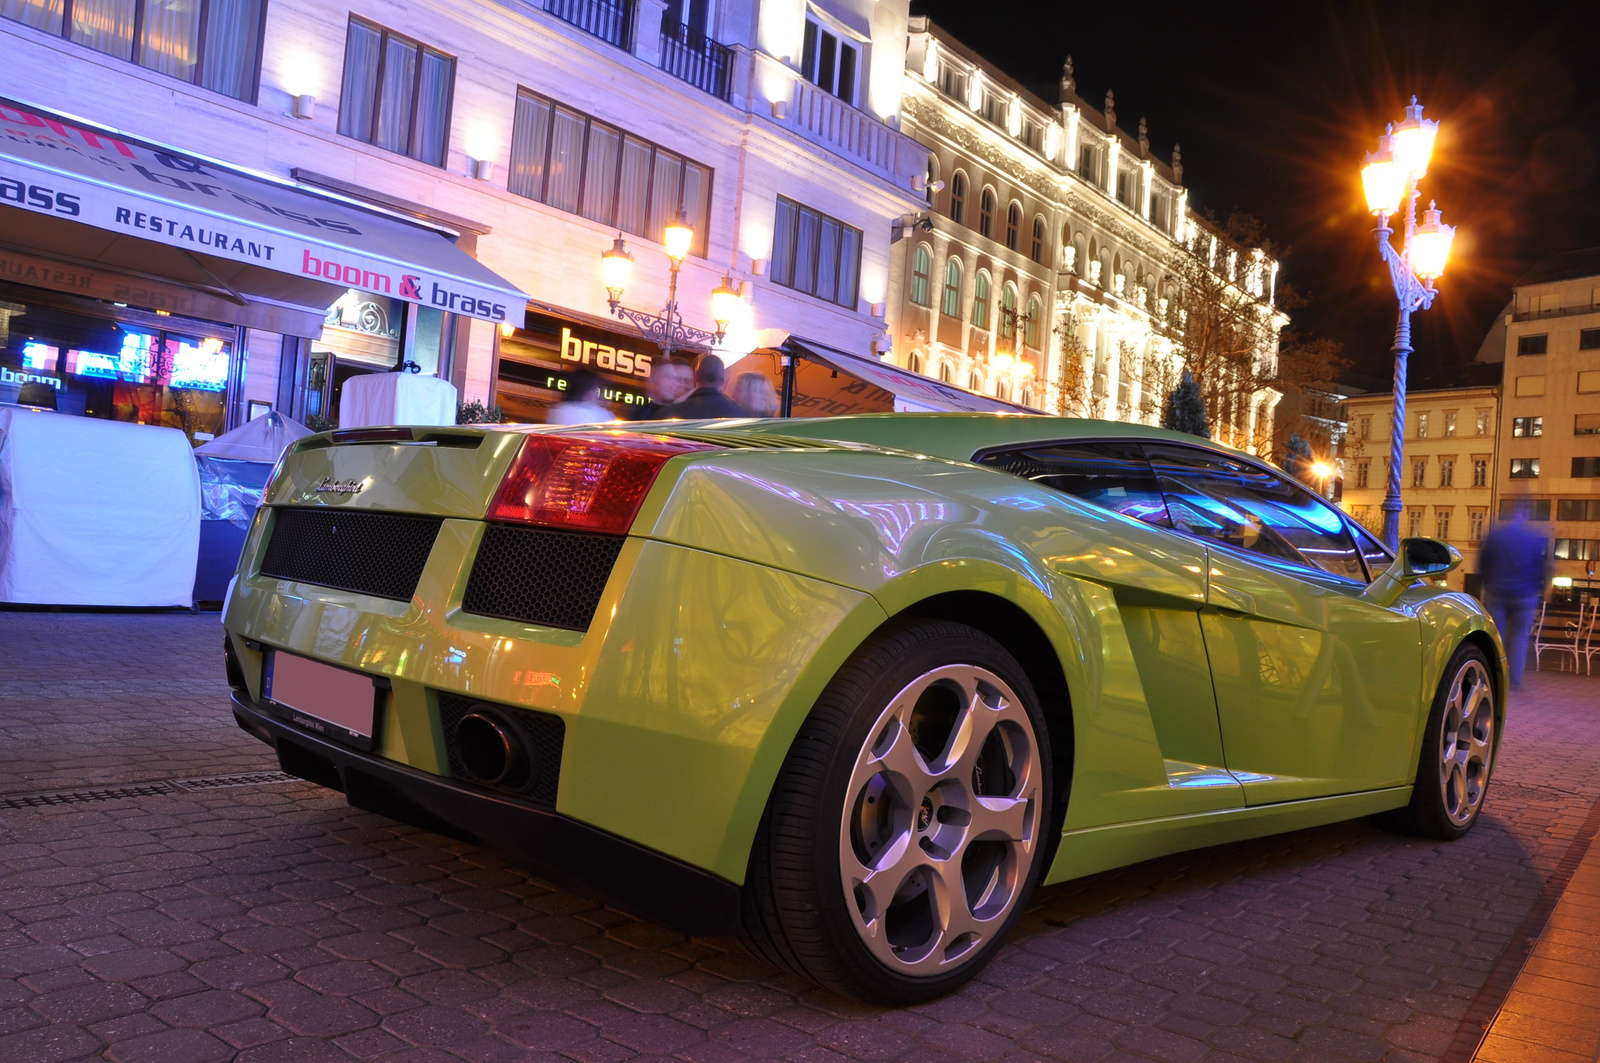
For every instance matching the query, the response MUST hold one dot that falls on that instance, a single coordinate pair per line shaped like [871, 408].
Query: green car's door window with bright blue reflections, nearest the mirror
[1249, 508]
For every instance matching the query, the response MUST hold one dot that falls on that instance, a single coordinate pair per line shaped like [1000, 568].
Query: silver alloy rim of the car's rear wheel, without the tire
[942, 820]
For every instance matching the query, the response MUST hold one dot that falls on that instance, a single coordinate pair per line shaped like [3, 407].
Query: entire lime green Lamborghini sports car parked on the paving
[850, 688]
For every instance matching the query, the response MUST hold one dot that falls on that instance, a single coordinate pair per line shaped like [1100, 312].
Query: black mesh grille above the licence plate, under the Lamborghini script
[369, 553]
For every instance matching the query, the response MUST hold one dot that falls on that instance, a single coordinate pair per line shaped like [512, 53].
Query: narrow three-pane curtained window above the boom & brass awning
[396, 94]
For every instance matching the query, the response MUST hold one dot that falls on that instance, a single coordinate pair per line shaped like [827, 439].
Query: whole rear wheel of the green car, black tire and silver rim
[798, 910]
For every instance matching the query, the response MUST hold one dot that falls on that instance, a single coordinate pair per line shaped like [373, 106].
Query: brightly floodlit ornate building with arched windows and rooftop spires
[1046, 267]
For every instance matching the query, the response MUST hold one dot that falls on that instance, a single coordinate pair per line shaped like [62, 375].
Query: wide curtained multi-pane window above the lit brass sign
[569, 161]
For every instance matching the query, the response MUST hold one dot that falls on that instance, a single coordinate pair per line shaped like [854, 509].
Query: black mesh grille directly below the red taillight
[542, 577]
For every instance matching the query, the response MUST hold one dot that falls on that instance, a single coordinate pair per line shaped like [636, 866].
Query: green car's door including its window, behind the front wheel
[1316, 688]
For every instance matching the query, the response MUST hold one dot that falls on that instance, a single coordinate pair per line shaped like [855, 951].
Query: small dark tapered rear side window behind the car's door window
[1113, 476]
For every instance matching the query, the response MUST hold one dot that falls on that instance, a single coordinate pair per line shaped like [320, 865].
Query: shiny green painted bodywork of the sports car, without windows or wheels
[754, 572]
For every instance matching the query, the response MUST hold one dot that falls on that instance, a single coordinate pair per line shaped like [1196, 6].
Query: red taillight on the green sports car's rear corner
[586, 484]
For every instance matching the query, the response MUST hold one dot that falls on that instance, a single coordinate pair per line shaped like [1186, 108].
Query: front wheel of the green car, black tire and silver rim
[1446, 803]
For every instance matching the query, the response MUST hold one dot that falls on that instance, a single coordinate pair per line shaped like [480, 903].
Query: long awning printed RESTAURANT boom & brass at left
[231, 233]
